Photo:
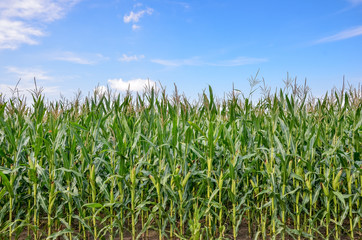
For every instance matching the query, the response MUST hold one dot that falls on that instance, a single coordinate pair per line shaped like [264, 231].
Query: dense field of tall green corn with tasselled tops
[152, 166]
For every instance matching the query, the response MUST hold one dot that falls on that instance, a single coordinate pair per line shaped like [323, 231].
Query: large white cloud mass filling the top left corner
[20, 20]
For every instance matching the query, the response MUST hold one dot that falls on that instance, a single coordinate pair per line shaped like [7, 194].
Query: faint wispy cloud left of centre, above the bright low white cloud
[90, 59]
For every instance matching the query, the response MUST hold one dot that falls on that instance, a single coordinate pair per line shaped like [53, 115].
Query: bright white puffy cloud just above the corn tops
[133, 85]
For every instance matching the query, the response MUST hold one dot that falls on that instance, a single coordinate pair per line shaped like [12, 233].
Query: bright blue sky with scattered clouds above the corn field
[80, 44]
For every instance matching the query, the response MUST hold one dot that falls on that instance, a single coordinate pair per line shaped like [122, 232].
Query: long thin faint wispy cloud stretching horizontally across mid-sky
[196, 61]
